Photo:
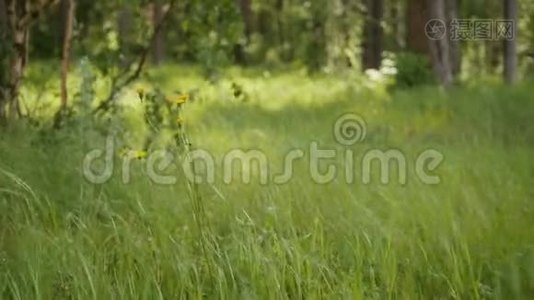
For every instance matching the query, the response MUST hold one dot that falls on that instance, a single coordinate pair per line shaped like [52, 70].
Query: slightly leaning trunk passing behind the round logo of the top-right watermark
[440, 49]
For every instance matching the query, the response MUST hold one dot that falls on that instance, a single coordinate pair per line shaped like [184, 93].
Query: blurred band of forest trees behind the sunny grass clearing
[318, 35]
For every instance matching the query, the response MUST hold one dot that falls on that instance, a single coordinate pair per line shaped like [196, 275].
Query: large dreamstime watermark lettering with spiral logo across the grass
[322, 165]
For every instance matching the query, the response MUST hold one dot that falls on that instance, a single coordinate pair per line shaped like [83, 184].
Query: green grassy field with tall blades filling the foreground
[470, 236]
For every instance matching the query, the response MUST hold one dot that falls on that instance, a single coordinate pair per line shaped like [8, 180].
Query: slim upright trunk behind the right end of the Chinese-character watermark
[511, 12]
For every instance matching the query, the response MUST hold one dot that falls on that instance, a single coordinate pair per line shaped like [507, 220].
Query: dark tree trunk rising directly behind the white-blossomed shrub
[372, 45]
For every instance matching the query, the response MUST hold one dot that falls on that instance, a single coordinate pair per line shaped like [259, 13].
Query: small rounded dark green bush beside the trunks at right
[413, 70]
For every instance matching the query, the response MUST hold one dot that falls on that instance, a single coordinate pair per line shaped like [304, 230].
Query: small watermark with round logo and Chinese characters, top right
[471, 29]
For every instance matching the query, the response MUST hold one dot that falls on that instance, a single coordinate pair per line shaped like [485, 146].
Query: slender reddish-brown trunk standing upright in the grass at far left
[69, 6]
